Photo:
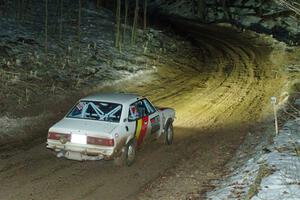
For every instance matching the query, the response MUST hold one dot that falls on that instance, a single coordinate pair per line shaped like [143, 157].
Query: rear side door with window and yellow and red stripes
[138, 113]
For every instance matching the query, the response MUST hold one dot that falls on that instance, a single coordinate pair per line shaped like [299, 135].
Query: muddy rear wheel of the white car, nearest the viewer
[128, 155]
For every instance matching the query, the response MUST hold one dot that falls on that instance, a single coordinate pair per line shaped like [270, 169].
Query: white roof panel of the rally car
[120, 98]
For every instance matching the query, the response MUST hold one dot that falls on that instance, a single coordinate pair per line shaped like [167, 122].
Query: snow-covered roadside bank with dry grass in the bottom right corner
[272, 172]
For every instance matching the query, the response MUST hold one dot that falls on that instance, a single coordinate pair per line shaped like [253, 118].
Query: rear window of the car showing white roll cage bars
[94, 110]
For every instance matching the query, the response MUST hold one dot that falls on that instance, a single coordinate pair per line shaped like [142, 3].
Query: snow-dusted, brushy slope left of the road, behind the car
[30, 81]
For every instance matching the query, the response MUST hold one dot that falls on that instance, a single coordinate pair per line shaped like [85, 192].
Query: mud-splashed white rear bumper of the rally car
[81, 152]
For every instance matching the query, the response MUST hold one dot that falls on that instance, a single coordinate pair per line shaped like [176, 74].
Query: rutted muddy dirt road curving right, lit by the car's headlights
[218, 94]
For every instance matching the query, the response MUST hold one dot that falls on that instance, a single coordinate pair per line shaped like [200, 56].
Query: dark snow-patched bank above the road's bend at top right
[264, 16]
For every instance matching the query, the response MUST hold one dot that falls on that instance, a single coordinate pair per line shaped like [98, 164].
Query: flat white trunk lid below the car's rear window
[84, 127]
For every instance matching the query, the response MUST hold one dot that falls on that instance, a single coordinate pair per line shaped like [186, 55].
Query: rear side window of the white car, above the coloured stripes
[137, 110]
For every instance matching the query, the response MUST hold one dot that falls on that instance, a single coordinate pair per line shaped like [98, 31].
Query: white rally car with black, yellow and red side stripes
[109, 126]
